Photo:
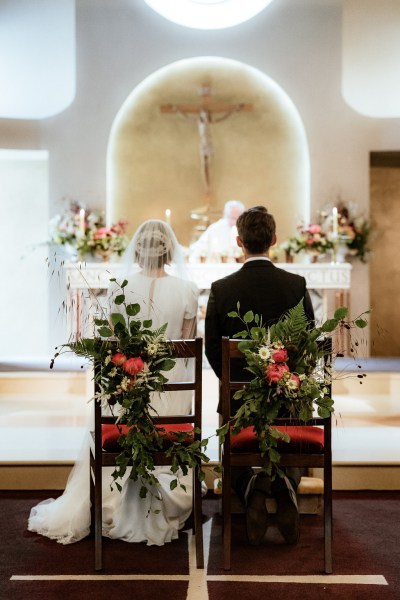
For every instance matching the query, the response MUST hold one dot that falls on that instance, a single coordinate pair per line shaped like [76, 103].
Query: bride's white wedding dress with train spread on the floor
[157, 518]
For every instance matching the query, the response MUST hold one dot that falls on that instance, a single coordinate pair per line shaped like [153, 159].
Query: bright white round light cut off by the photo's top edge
[208, 14]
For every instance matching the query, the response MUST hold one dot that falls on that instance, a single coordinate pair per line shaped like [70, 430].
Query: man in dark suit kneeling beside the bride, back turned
[270, 292]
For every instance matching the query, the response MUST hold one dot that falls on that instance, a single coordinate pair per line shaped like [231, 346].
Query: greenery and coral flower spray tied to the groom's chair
[288, 376]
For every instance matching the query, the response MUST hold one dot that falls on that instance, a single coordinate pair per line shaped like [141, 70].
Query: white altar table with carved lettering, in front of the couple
[87, 283]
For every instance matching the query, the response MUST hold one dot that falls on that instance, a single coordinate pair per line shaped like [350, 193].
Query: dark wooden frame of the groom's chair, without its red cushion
[241, 459]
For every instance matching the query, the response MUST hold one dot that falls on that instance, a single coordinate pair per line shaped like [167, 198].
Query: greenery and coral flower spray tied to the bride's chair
[135, 359]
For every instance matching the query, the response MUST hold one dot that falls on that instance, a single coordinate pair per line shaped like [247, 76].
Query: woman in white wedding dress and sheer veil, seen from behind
[154, 267]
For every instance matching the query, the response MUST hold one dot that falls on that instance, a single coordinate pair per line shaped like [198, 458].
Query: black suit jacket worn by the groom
[258, 286]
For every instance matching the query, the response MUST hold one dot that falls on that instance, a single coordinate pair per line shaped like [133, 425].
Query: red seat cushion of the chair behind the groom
[305, 438]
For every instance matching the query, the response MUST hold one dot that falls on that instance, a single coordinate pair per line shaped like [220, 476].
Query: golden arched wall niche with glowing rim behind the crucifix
[259, 157]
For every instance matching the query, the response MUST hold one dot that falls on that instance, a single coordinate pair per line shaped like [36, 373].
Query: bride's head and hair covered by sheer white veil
[153, 246]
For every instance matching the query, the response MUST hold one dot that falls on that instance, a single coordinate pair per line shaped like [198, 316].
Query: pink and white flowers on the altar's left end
[85, 231]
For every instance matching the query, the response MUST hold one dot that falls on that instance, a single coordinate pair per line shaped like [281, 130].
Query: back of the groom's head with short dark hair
[256, 228]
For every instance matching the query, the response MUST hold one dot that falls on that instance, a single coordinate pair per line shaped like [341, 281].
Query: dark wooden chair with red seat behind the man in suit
[310, 447]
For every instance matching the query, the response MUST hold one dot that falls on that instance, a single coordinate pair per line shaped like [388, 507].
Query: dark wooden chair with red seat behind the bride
[99, 457]
